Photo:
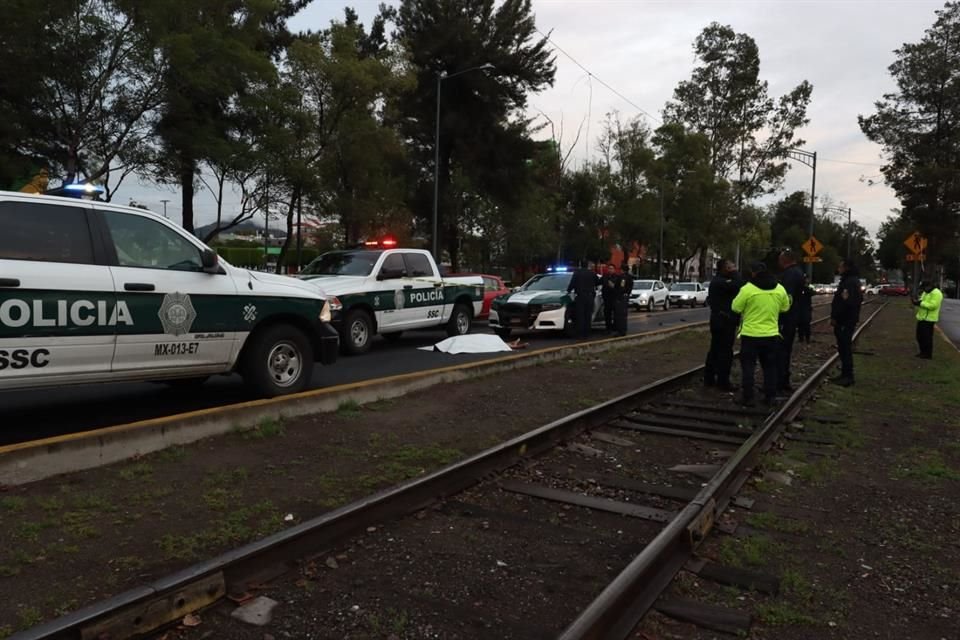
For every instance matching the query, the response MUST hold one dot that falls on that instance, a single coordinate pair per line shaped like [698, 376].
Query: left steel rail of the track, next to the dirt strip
[148, 607]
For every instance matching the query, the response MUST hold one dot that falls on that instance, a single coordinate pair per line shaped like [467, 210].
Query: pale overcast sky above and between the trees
[643, 48]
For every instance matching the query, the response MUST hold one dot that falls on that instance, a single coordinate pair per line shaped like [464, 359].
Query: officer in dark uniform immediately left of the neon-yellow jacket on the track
[724, 287]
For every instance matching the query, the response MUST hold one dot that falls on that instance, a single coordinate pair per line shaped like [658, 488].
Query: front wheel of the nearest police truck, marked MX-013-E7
[278, 361]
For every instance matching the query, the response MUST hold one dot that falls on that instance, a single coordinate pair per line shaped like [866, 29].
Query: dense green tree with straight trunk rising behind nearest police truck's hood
[215, 52]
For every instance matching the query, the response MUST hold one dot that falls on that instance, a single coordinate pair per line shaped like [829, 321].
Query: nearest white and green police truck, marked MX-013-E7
[94, 292]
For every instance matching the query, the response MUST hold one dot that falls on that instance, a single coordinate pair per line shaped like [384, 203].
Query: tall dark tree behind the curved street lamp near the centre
[452, 36]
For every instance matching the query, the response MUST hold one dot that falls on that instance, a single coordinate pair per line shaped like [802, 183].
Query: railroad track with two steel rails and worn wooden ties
[535, 527]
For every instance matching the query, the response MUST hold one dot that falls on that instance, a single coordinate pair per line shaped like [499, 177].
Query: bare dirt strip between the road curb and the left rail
[74, 539]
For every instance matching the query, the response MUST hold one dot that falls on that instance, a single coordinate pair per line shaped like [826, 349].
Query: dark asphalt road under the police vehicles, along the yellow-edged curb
[28, 415]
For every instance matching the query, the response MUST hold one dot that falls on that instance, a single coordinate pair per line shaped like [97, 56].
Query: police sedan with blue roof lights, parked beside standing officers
[542, 303]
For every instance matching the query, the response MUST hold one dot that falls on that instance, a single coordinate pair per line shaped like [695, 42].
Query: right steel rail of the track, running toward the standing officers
[627, 599]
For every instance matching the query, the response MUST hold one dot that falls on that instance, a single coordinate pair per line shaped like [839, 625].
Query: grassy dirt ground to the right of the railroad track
[865, 538]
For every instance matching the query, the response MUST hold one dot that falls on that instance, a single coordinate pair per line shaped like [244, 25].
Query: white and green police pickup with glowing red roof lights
[387, 291]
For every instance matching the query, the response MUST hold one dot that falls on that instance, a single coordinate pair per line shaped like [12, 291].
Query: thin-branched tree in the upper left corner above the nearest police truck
[92, 82]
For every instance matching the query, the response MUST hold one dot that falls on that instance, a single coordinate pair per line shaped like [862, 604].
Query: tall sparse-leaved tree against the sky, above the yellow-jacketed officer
[748, 132]
